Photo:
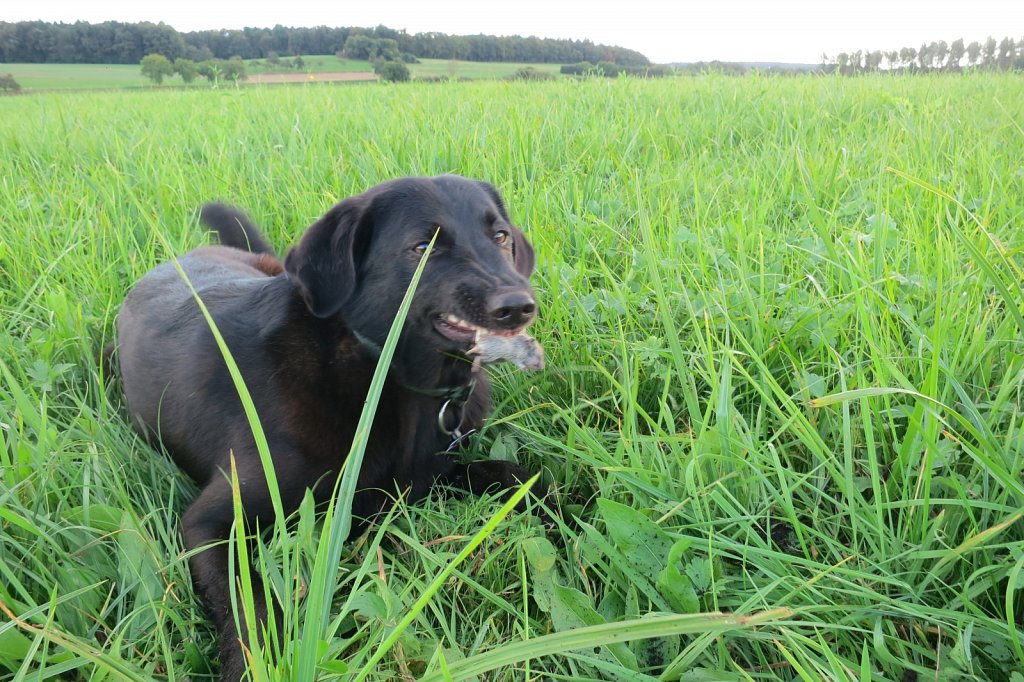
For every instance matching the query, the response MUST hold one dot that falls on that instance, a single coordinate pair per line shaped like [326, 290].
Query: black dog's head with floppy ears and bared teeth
[359, 260]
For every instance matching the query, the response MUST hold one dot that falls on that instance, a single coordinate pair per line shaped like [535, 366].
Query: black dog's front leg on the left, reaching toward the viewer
[206, 527]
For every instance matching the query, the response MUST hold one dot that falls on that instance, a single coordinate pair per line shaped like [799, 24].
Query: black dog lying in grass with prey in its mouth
[307, 336]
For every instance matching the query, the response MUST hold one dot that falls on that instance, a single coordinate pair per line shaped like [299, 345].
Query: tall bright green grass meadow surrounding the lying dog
[782, 414]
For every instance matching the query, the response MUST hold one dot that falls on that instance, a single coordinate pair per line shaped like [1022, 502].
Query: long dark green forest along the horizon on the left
[116, 42]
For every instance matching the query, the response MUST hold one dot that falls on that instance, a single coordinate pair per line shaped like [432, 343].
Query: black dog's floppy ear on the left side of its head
[323, 264]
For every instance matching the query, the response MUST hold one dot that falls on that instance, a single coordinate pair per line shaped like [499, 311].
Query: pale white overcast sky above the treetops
[664, 30]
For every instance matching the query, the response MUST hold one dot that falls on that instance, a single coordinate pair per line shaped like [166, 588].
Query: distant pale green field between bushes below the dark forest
[94, 76]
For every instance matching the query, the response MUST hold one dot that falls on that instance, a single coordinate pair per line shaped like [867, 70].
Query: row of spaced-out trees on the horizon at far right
[941, 57]
